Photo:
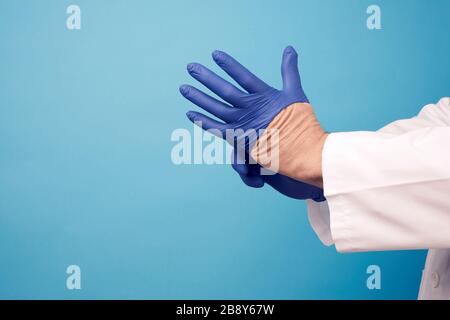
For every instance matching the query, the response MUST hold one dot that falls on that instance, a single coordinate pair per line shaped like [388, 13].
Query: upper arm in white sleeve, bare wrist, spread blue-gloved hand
[385, 190]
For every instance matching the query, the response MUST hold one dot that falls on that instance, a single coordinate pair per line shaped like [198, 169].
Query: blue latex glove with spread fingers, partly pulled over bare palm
[253, 109]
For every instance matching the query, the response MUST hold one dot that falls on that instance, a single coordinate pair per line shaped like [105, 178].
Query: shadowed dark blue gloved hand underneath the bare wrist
[251, 176]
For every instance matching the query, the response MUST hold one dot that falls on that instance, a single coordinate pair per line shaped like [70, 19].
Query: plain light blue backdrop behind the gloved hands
[85, 122]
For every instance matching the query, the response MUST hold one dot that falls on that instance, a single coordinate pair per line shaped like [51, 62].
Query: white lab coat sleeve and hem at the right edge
[390, 190]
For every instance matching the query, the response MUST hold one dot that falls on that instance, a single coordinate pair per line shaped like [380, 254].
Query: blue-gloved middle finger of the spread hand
[216, 84]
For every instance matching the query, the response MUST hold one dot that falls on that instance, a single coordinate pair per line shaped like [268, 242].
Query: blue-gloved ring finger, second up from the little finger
[207, 103]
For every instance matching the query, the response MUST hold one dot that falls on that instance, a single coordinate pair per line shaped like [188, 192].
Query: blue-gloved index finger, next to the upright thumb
[238, 72]
